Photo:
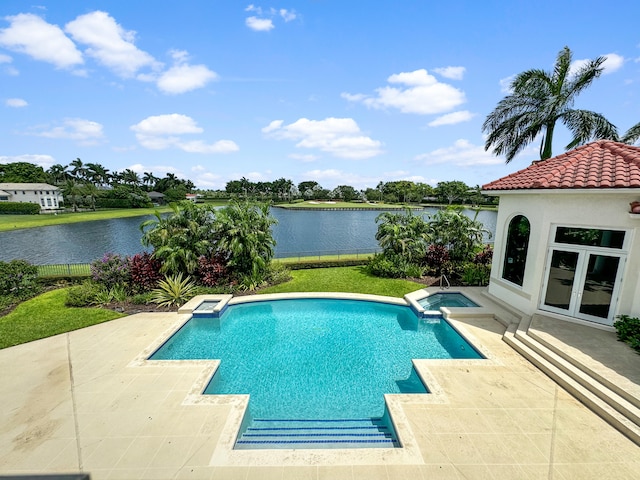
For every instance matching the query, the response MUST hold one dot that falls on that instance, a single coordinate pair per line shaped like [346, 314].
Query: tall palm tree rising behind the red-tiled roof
[538, 100]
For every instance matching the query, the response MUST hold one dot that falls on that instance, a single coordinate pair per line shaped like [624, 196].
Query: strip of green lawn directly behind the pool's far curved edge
[343, 279]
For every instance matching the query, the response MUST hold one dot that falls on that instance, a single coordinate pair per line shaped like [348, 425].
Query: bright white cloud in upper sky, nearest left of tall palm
[423, 94]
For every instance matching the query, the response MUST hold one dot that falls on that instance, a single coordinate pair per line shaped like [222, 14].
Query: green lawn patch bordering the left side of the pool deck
[46, 315]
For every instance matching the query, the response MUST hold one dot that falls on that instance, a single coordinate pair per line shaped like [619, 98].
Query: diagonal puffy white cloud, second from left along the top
[109, 43]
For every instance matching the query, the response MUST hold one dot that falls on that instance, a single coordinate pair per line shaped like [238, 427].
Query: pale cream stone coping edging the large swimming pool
[408, 454]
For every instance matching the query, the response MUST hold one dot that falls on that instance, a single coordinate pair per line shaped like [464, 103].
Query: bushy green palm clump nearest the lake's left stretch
[181, 238]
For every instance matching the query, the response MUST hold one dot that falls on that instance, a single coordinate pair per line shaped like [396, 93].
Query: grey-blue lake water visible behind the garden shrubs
[298, 233]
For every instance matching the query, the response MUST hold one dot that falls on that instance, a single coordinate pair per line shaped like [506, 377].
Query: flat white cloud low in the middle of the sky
[340, 137]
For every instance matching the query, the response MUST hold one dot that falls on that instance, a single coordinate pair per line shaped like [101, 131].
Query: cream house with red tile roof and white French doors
[567, 239]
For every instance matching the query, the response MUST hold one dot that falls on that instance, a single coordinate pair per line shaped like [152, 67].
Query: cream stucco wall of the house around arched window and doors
[606, 209]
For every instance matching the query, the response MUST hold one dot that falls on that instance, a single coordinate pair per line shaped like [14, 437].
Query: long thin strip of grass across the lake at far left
[14, 222]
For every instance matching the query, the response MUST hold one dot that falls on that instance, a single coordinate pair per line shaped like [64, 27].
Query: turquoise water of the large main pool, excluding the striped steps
[315, 358]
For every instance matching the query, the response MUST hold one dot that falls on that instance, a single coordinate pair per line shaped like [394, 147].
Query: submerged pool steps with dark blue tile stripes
[294, 434]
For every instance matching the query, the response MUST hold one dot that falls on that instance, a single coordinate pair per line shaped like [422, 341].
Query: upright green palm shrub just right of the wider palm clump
[243, 233]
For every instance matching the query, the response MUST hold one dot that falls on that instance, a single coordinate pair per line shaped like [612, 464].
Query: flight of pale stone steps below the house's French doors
[538, 355]
